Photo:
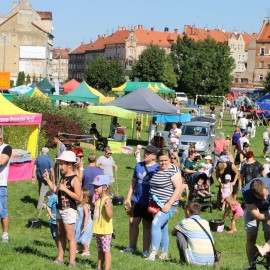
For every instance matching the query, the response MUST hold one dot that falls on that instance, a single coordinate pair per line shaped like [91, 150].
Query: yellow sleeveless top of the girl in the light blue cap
[101, 223]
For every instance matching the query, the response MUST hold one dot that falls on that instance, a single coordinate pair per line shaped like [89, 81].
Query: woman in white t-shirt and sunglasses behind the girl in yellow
[106, 163]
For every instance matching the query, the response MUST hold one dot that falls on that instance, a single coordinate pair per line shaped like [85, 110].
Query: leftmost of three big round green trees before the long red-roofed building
[104, 74]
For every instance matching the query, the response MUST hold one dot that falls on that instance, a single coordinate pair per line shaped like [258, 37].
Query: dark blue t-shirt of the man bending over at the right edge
[249, 197]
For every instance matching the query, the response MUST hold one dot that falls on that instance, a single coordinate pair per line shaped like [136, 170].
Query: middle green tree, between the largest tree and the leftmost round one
[150, 66]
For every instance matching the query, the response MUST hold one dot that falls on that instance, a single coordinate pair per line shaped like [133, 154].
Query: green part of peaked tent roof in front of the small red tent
[81, 93]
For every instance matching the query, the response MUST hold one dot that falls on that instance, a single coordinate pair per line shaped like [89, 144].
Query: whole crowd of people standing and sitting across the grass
[79, 202]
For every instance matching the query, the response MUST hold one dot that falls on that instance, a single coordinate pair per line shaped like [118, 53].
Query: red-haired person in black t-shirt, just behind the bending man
[251, 169]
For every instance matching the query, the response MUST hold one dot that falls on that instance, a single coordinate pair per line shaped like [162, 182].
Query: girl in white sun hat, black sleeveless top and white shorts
[68, 191]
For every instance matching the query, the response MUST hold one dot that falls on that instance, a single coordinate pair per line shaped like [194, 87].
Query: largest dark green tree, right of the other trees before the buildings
[203, 66]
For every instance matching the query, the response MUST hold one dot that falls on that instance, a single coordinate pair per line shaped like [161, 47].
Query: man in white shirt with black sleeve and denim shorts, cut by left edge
[5, 154]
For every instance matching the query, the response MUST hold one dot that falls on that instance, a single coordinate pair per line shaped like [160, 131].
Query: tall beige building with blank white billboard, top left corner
[26, 41]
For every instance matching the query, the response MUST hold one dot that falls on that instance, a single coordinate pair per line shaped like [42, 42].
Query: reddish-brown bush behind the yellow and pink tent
[54, 123]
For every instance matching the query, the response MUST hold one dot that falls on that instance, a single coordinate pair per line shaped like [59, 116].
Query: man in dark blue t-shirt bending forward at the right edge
[257, 199]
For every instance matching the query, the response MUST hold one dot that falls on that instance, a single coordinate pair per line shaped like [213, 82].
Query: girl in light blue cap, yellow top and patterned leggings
[102, 221]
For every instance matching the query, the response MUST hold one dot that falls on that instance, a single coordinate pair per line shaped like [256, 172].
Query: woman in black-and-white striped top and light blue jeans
[166, 184]
